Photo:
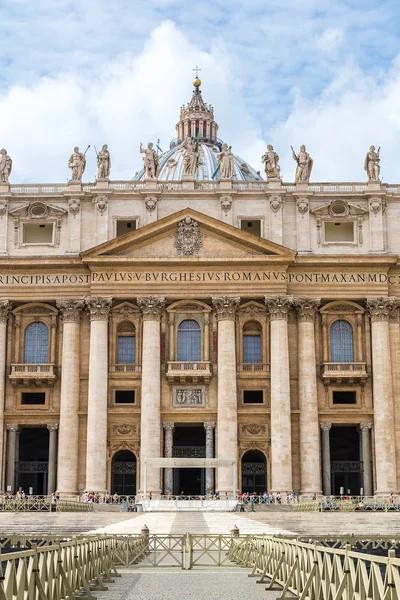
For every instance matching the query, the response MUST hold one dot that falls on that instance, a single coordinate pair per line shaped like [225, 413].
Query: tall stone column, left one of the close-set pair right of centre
[281, 438]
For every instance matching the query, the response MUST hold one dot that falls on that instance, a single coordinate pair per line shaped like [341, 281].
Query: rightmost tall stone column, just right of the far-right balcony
[385, 454]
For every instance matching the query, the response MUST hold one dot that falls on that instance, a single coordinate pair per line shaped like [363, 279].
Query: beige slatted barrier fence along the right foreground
[315, 572]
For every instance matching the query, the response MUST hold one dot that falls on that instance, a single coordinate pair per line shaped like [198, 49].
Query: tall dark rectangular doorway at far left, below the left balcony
[33, 460]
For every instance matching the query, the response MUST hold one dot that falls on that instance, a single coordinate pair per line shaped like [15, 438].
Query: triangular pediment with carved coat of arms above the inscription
[188, 234]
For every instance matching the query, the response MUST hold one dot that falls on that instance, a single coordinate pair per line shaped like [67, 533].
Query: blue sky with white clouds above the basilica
[325, 73]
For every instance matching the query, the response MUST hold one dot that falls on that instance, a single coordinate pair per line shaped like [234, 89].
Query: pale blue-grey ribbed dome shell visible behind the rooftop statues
[171, 166]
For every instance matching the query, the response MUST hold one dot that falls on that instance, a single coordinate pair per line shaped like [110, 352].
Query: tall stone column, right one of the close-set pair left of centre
[96, 444]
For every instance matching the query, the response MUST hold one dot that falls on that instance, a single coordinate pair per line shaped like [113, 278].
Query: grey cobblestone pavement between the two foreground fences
[207, 584]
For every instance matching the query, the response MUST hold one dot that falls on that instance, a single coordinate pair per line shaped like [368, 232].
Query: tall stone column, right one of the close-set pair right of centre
[310, 462]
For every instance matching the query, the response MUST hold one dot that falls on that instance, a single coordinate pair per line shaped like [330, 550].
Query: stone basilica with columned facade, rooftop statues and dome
[186, 314]
